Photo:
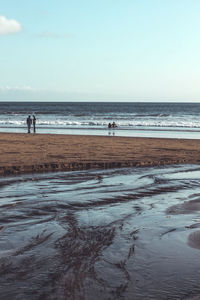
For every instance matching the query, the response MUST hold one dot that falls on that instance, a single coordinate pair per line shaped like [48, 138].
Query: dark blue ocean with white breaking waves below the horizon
[178, 120]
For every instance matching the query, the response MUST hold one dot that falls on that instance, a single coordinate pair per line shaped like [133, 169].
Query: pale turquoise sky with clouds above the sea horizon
[108, 50]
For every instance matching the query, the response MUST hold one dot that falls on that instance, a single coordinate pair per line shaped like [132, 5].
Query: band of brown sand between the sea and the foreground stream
[26, 153]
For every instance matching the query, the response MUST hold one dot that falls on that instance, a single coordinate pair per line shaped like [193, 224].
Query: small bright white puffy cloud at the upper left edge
[9, 26]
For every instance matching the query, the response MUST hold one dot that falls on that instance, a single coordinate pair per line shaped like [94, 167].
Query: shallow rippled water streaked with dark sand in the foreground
[110, 234]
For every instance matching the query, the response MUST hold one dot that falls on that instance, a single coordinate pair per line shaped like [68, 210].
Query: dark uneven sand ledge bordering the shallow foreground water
[78, 166]
